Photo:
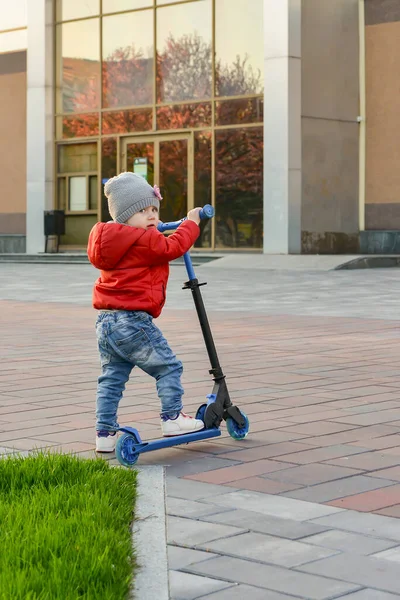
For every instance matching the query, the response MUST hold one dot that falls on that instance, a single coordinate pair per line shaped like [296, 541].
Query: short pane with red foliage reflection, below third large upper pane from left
[184, 115]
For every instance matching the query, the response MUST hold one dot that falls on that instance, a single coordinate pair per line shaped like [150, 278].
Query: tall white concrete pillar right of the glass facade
[282, 127]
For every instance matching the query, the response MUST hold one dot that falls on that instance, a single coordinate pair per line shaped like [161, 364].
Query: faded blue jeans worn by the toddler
[126, 339]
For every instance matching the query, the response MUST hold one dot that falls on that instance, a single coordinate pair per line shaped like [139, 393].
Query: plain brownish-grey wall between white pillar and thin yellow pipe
[330, 132]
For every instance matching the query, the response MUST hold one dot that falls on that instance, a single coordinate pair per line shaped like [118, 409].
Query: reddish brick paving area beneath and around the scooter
[322, 395]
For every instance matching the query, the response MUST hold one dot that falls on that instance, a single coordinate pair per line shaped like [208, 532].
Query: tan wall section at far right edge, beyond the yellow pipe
[382, 39]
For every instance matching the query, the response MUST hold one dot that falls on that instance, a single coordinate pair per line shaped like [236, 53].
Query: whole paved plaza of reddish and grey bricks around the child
[307, 506]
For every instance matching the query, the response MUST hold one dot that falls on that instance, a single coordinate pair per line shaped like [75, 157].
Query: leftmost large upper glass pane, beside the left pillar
[79, 66]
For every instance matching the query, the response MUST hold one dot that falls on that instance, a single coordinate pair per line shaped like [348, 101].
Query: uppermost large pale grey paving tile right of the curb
[277, 506]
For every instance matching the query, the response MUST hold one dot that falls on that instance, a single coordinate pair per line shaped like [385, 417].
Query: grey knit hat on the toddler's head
[127, 194]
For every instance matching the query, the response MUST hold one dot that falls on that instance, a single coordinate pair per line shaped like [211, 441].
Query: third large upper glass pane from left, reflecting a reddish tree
[184, 52]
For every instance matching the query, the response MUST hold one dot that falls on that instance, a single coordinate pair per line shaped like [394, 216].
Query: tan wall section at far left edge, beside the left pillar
[13, 142]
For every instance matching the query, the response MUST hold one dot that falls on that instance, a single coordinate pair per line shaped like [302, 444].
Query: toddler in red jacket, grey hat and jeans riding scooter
[133, 257]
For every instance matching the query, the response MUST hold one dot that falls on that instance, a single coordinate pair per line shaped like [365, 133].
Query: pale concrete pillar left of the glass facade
[40, 119]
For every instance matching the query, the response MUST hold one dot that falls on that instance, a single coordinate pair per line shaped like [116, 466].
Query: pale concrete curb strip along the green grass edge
[150, 536]
